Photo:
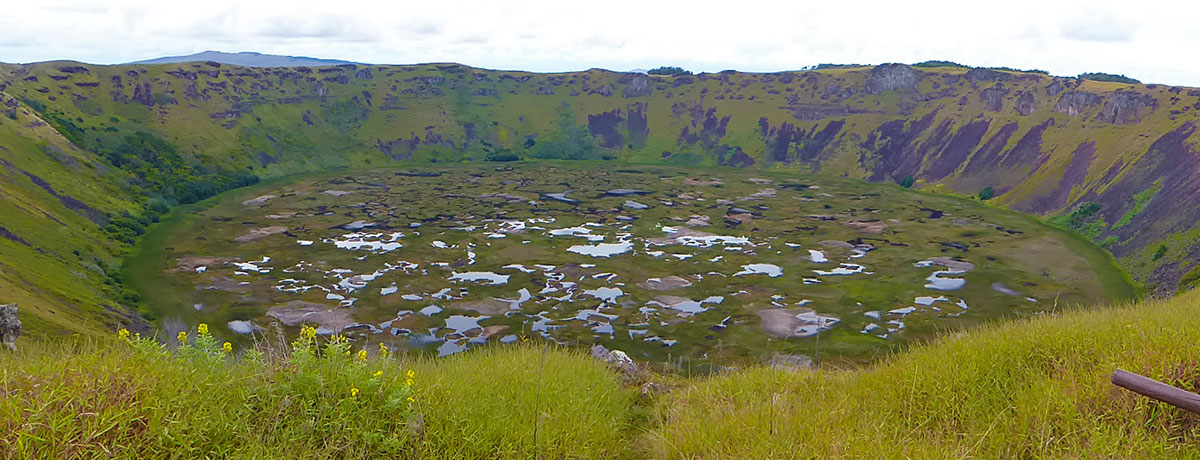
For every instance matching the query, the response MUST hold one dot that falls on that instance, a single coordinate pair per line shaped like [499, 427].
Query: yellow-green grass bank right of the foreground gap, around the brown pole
[1030, 389]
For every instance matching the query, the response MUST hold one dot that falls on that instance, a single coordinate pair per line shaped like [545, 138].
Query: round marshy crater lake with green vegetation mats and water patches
[706, 268]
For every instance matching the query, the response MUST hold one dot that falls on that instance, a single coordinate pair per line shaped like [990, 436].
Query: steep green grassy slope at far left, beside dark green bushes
[57, 276]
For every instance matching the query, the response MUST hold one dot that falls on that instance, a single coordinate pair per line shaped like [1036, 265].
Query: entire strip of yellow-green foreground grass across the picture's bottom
[1034, 389]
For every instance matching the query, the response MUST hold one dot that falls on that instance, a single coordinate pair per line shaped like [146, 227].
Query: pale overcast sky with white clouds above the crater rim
[1153, 41]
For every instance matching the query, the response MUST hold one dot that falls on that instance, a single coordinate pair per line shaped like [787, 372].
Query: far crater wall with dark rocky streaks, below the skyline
[1047, 146]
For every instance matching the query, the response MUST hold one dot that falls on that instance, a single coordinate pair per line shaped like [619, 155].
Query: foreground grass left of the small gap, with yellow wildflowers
[140, 401]
